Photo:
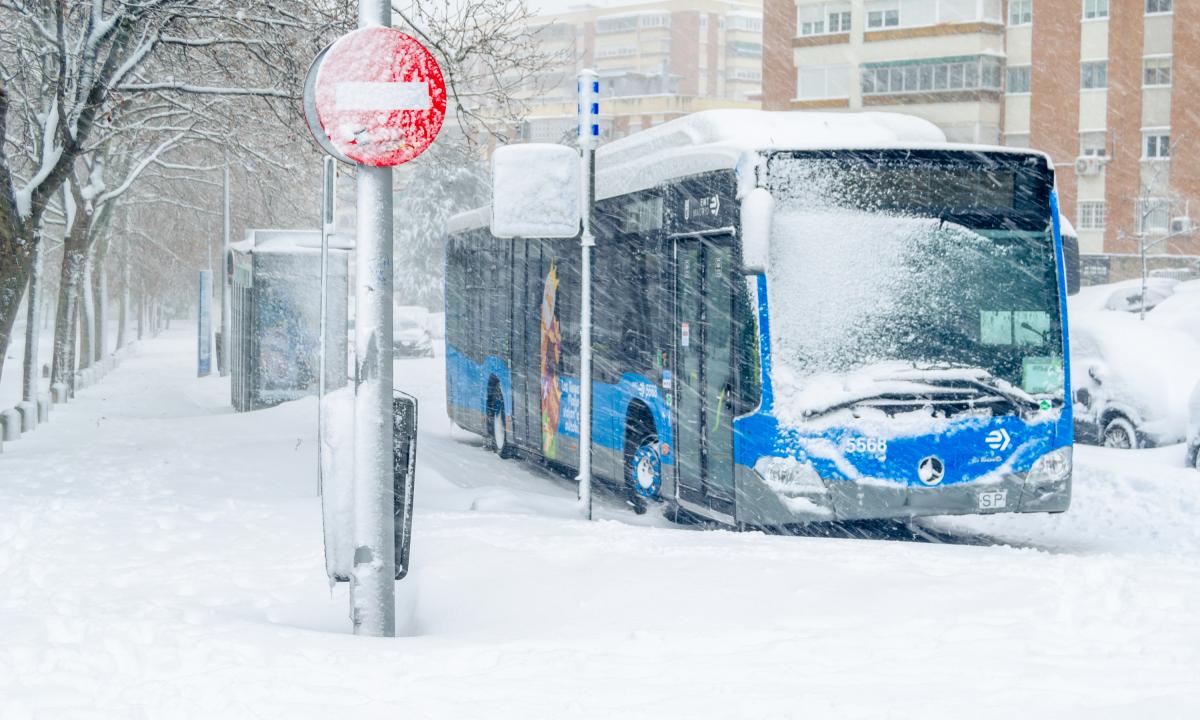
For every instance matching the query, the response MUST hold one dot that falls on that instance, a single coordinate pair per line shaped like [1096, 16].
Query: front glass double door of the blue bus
[704, 341]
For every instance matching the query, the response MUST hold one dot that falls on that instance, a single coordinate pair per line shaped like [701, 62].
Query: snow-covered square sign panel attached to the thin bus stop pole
[536, 191]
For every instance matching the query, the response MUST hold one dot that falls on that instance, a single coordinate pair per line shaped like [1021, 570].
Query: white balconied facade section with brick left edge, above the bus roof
[939, 59]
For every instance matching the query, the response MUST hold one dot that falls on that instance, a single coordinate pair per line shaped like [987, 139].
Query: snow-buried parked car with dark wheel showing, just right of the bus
[1131, 380]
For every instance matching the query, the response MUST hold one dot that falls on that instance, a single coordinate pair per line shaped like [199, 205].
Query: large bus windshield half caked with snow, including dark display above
[892, 267]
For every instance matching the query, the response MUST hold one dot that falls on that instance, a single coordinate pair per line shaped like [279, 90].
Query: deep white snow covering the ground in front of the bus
[160, 557]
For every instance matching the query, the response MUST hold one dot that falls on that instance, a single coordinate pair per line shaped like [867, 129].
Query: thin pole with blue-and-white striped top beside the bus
[590, 135]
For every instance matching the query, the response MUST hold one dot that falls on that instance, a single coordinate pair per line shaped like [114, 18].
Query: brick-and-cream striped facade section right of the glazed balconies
[1109, 89]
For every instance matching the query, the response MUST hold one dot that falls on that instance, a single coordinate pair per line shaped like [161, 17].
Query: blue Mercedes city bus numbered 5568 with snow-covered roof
[797, 319]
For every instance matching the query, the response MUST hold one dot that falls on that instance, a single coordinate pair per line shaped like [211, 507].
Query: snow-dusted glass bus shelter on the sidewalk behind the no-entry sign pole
[275, 325]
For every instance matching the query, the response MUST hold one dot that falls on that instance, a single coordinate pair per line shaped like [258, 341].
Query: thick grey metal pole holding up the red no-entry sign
[373, 584]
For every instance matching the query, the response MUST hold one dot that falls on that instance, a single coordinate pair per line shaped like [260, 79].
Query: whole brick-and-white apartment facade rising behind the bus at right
[1107, 88]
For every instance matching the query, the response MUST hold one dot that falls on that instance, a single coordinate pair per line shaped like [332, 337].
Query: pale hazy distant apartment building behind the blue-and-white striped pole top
[657, 61]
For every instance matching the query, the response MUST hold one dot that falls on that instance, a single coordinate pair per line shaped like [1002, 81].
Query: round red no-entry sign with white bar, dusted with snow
[380, 98]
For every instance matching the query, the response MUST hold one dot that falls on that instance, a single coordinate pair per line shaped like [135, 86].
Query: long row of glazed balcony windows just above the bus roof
[935, 75]
